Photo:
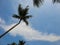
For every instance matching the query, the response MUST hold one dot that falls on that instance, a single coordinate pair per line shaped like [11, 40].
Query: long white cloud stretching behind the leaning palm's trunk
[29, 33]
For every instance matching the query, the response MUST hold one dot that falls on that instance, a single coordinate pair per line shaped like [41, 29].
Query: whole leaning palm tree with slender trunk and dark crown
[22, 15]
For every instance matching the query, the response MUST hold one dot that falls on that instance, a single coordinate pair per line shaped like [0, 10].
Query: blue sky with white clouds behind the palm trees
[44, 26]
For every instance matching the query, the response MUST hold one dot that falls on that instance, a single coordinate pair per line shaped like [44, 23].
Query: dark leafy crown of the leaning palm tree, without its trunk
[22, 14]
